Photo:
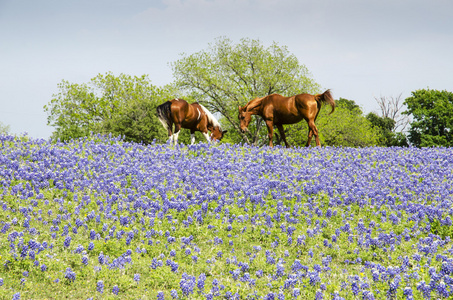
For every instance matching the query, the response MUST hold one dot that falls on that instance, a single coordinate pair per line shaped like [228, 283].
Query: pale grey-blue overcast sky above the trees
[359, 49]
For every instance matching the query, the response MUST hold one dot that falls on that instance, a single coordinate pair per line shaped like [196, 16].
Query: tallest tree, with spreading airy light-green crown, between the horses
[228, 75]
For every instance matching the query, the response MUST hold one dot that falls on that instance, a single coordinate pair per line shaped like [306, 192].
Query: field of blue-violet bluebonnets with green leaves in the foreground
[101, 218]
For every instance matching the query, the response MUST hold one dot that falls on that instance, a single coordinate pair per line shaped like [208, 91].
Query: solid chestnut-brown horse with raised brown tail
[278, 110]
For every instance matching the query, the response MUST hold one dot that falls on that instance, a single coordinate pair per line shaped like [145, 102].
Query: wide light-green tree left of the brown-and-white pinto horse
[122, 105]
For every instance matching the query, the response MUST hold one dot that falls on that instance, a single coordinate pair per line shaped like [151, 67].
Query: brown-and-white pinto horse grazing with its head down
[190, 116]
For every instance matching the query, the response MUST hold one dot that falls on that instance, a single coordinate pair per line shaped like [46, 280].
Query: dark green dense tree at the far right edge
[432, 113]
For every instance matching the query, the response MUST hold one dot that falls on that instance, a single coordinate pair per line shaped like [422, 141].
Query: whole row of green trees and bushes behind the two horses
[228, 75]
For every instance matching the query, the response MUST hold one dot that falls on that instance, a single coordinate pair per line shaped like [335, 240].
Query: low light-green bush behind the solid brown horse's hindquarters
[346, 127]
